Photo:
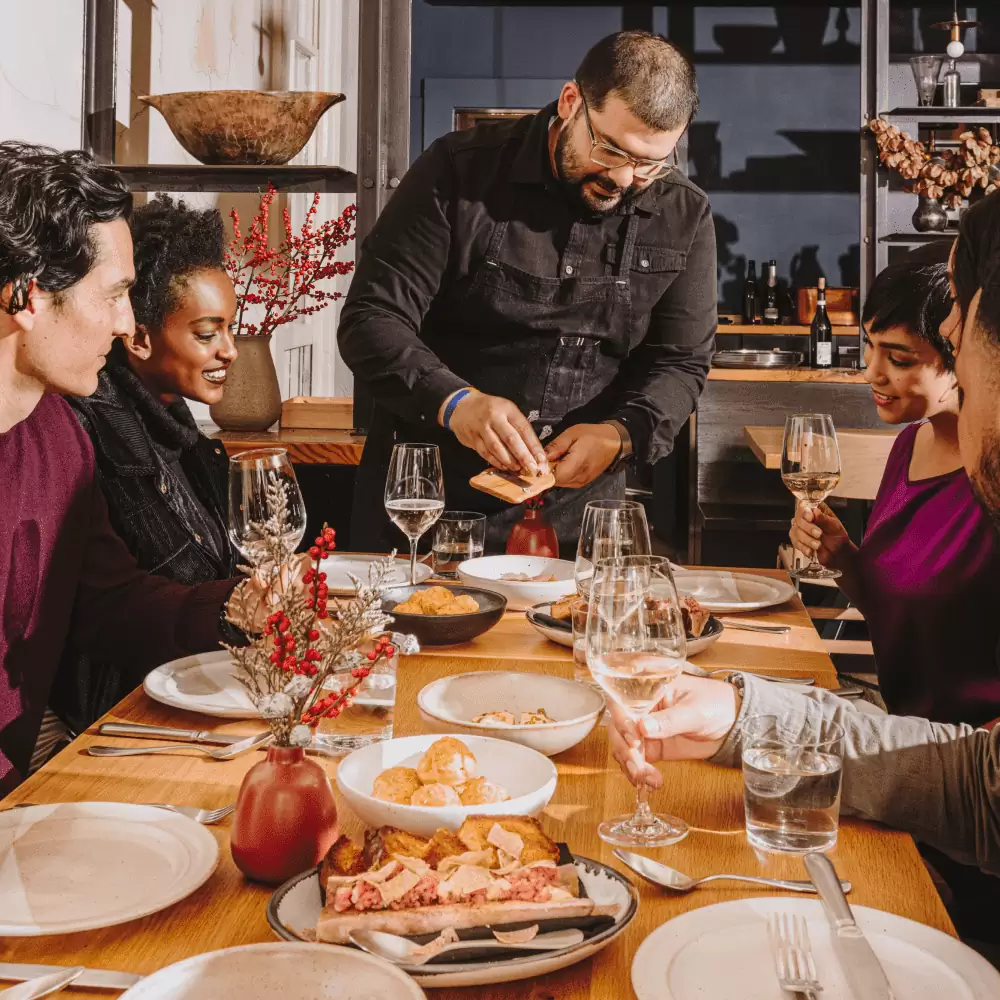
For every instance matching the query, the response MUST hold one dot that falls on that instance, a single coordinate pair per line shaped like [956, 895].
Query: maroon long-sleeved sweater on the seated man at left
[65, 576]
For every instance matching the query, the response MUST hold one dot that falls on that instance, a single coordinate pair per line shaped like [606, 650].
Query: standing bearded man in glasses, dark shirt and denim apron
[547, 280]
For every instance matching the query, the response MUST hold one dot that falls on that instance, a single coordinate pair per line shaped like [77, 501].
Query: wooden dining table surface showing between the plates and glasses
[883, 865]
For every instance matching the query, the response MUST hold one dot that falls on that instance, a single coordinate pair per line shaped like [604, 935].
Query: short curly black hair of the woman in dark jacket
[171, 242]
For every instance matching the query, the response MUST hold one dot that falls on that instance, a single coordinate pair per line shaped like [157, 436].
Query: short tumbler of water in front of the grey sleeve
[792, 767]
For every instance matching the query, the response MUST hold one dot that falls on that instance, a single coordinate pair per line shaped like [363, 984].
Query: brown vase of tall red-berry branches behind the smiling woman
[276, 285]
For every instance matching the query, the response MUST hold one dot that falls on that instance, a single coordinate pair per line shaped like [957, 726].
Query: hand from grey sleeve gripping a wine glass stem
[690, 723]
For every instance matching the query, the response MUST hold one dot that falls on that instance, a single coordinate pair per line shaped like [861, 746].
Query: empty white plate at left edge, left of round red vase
[80, 865]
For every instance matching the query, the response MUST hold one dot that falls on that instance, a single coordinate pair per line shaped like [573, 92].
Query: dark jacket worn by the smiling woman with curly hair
[165, 485]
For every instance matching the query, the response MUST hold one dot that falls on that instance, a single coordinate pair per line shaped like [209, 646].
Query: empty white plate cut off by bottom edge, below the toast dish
[266, 971]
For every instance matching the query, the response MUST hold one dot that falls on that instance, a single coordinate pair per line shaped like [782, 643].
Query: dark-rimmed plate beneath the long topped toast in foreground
[295, 907]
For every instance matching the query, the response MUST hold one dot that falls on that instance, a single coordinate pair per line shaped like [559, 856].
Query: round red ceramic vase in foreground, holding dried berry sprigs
[285, 819]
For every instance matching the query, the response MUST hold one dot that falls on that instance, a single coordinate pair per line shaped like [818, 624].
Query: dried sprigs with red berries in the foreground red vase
[305, 642]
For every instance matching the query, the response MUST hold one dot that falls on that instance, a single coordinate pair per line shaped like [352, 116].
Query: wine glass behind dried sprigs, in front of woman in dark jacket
[251, 475]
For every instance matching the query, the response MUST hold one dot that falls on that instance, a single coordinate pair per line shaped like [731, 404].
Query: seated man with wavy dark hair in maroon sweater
[65, 272]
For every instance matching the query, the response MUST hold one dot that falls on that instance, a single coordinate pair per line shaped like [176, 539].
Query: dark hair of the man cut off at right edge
[977, 263]
